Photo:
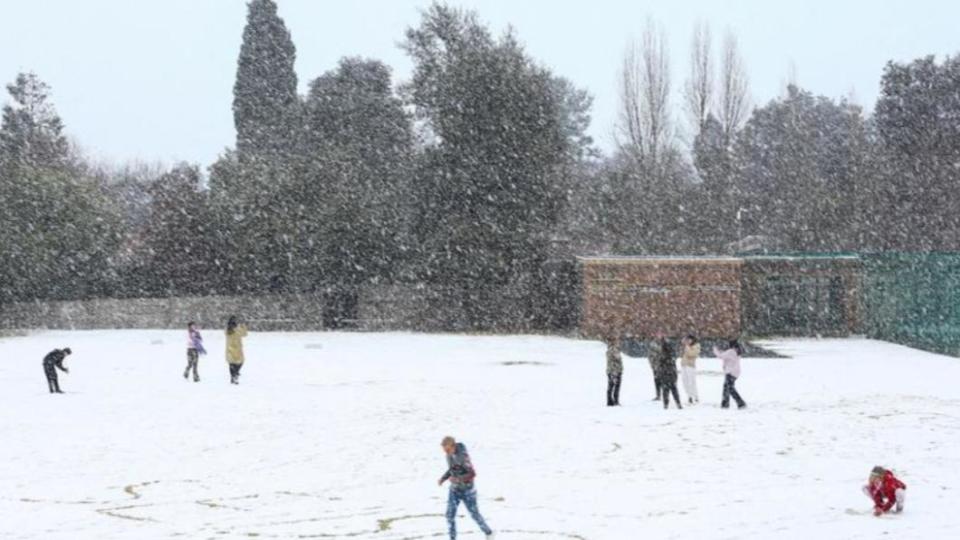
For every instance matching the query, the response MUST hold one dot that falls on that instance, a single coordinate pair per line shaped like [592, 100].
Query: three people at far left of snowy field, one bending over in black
[235, 333]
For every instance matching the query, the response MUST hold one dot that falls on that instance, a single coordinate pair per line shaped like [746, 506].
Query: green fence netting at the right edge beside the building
[913, 299]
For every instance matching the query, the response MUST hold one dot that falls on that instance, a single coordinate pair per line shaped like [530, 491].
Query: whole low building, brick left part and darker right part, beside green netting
[722, 297]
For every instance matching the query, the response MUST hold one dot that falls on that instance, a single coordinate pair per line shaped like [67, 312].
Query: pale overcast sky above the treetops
[152, 80]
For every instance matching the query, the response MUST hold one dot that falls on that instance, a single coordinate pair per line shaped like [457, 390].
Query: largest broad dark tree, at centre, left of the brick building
[489, 189]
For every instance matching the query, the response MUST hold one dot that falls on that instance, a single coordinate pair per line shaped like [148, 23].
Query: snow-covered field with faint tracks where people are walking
[337, 436]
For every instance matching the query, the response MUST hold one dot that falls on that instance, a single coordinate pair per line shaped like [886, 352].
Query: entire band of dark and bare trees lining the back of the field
[476, 178]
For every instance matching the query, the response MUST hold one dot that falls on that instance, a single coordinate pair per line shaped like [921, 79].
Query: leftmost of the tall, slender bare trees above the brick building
[645, 94]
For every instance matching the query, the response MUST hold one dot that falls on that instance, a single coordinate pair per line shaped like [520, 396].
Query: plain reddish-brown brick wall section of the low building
[640, 296]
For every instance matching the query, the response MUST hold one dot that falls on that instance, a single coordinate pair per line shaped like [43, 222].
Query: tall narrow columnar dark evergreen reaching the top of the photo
[254, 189]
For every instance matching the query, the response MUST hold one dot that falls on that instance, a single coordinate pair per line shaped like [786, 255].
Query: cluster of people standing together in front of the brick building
[663, 363]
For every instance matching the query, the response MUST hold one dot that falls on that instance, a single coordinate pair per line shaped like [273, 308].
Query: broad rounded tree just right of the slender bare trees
[798, 162]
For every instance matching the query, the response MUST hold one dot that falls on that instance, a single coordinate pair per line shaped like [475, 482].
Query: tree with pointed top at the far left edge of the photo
[58, 230]
